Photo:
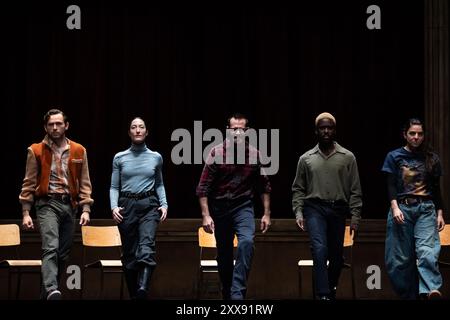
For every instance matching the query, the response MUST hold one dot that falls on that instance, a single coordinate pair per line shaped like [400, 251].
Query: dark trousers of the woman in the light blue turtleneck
[138, 231]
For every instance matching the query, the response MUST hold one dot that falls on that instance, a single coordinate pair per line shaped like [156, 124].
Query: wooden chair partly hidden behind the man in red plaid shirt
[207, 242]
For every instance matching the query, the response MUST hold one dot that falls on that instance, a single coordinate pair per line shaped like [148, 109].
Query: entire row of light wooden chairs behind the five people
[108, 236]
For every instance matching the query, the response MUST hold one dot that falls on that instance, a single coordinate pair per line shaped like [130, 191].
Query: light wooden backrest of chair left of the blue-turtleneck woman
[101, 236]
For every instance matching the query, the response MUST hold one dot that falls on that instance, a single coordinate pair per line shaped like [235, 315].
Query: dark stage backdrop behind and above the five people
[173, 64]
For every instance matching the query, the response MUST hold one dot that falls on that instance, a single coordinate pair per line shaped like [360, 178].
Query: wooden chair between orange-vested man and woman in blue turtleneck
[102, 237]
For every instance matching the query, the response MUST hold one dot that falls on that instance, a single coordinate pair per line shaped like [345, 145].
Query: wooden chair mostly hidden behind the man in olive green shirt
[348, 243]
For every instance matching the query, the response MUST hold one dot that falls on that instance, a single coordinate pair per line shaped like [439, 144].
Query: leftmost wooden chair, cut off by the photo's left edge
[10, 237]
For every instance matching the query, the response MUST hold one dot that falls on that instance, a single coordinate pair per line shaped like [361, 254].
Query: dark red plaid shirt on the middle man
[232, 181]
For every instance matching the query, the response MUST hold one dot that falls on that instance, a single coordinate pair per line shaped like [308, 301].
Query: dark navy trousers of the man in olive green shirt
[325, 224]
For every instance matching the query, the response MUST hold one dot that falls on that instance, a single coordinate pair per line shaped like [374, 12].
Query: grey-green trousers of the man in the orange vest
[56, 225]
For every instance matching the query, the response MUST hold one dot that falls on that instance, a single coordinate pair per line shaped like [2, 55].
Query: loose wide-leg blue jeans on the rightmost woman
[412, 251]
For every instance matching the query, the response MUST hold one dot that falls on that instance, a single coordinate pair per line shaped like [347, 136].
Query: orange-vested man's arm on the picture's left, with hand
[29, 186]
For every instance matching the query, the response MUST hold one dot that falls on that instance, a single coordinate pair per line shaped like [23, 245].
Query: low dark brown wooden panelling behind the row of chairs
[274, 273]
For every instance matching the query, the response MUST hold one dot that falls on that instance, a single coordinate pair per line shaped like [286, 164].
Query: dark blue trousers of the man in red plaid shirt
[233, 218]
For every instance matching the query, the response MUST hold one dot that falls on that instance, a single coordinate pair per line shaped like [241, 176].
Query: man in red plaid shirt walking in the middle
[225, 192]
